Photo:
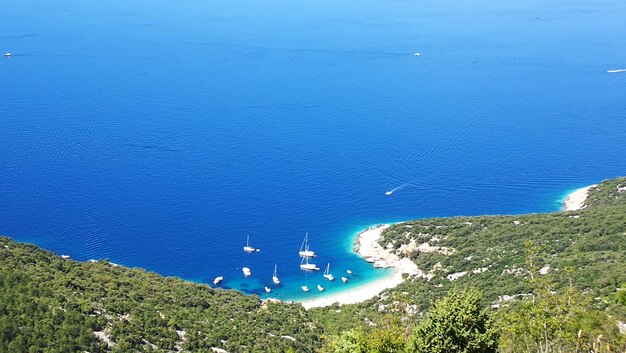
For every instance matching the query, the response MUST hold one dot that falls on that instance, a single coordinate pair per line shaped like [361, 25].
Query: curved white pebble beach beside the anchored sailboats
[366, 245]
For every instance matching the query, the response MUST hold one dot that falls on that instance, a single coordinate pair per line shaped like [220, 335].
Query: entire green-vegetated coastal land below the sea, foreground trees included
[540, 283]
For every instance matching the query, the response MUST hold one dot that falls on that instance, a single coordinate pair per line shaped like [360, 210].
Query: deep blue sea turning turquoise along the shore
[158, 134]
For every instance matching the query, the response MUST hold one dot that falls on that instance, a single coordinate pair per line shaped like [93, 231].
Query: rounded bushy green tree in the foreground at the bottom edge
[455, 323]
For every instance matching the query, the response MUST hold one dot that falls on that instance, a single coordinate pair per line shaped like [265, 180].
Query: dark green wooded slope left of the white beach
[48, 304]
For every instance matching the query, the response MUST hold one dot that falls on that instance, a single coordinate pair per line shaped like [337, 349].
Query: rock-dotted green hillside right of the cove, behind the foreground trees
[586, 247]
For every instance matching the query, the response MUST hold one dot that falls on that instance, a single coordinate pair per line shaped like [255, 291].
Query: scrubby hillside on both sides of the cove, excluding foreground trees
[50, 304]
